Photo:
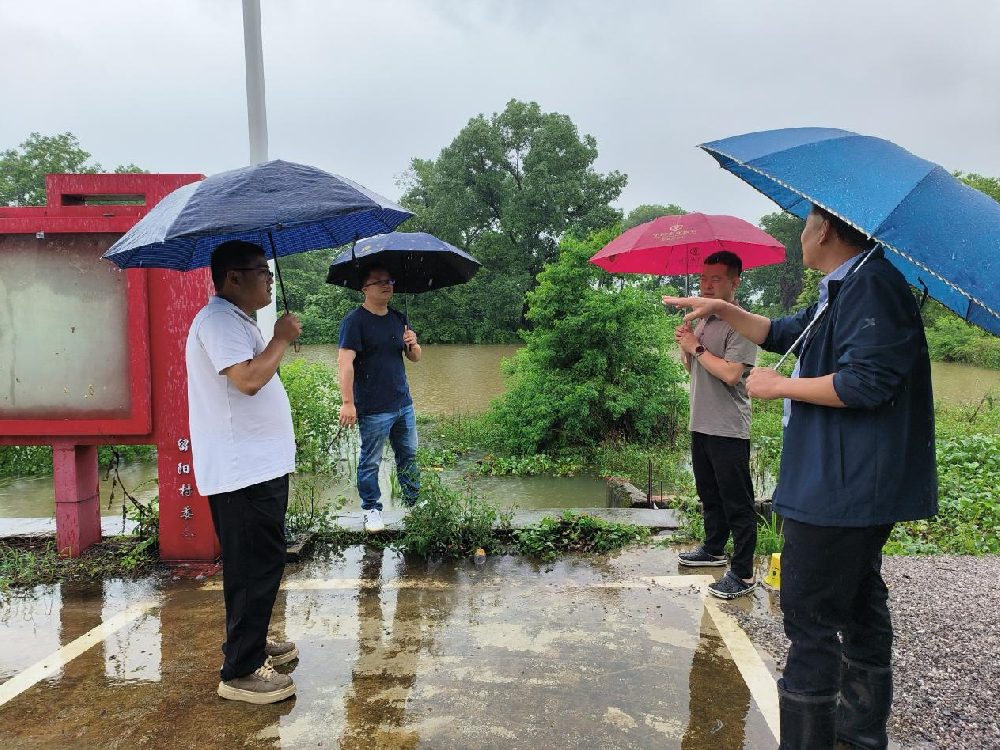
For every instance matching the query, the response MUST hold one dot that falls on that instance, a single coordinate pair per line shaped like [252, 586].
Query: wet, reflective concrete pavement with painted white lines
[610, 652]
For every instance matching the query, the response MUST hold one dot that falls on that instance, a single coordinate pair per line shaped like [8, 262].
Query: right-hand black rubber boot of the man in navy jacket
[865, 700]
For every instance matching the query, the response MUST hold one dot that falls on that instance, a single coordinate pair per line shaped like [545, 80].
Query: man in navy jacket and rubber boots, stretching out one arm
[858, 457]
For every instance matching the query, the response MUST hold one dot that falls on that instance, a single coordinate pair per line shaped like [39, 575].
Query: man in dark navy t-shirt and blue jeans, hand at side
[376, 397]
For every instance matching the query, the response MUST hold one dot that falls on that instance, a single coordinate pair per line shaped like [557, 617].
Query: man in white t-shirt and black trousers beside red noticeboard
[243, 448]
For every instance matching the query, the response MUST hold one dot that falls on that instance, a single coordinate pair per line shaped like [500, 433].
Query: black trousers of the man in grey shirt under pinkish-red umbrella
[722, 477]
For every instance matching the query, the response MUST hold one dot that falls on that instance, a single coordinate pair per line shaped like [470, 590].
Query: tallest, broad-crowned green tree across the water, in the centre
[506, 189]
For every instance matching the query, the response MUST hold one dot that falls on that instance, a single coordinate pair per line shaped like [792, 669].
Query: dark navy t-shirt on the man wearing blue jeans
[379, 376]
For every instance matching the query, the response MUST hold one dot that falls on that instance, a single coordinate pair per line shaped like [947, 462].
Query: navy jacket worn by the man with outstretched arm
[873, 462]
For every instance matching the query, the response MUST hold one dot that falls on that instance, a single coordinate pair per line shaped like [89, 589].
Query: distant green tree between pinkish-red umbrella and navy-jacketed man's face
[775, 289]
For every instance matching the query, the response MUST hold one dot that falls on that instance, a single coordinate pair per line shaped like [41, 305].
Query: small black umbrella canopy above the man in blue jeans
[419, 262]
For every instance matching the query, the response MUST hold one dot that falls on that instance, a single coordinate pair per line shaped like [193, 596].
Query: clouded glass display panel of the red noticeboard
[63, 329]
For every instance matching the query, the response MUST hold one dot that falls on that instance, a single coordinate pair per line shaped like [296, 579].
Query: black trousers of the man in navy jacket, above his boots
[831, 582]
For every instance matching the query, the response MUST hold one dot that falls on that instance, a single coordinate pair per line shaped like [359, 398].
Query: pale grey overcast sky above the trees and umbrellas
[360, 88]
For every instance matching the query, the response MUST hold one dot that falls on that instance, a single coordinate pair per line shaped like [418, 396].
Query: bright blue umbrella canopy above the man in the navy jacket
[943, 235]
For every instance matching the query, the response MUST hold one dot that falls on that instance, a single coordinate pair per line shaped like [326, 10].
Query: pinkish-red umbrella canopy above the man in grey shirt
[672, 245]
